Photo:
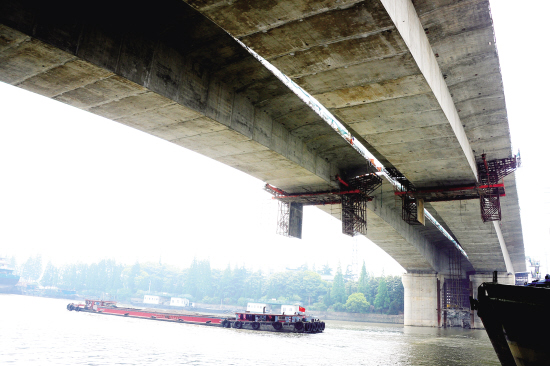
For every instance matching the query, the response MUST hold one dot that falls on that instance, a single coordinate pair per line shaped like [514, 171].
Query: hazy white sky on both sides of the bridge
[77, 187]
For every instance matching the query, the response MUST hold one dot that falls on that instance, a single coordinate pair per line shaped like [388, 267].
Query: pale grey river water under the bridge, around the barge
[40, 331]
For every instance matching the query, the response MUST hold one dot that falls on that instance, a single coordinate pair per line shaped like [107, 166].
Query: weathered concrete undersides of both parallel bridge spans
[417, 83]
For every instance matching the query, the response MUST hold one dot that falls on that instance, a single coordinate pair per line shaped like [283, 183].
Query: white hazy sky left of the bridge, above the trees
[81, 187]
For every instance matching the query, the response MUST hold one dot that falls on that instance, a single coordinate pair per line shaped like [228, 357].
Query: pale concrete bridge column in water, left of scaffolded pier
[421, 295]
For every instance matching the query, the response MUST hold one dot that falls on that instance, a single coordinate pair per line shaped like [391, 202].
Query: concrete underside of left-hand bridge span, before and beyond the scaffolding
[173, 74]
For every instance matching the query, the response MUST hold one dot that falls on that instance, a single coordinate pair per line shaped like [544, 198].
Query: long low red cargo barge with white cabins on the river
[294, 321]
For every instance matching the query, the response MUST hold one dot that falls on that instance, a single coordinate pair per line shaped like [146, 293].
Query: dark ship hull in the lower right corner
[517, 320]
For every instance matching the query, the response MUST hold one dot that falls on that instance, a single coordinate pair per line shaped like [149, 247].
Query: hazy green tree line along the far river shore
[323, 289]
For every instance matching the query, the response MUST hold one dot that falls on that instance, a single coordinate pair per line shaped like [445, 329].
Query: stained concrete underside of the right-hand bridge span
[419, 82]
